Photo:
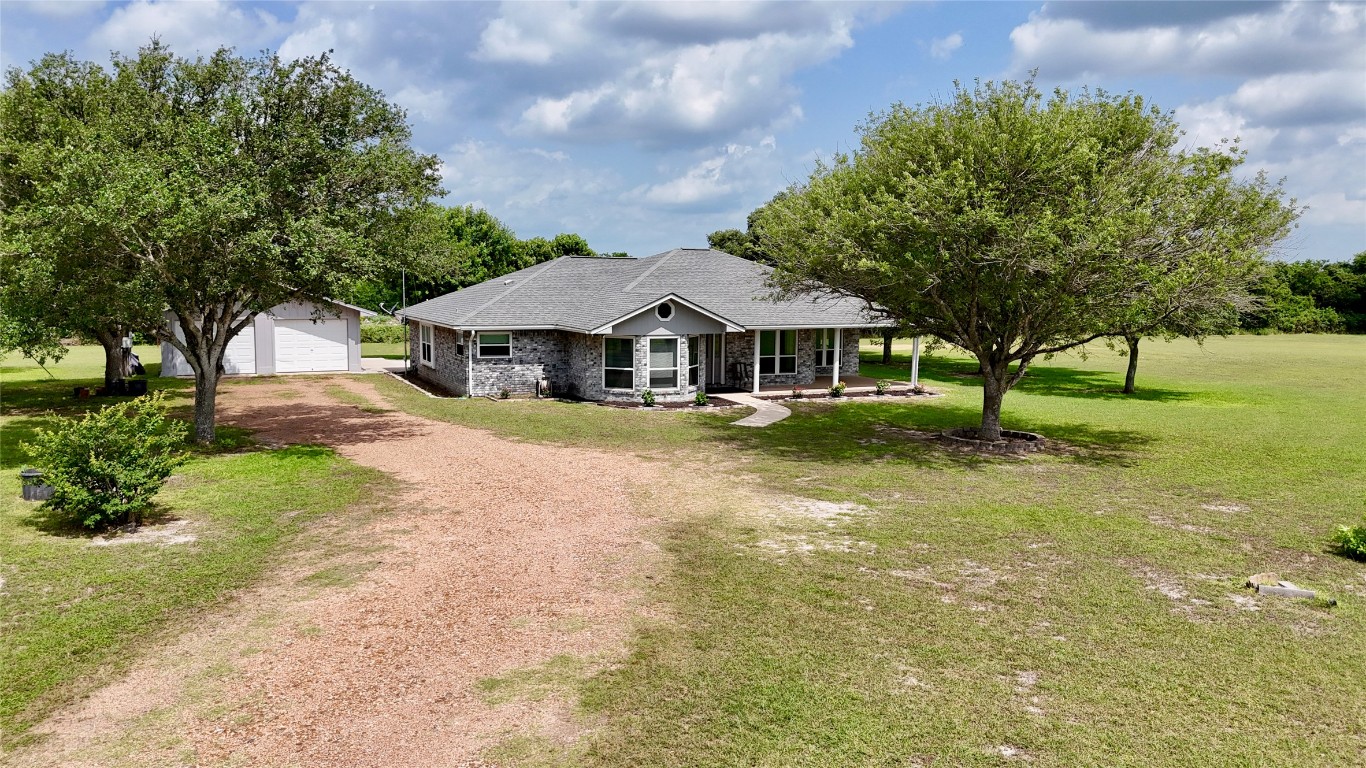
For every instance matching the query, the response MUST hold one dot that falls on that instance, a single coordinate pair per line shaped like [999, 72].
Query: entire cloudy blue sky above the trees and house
[647, 126]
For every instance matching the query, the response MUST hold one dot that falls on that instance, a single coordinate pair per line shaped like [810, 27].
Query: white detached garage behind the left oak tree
[288, 340]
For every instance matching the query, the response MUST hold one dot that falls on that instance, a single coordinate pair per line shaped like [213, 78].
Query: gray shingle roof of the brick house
[587, 293]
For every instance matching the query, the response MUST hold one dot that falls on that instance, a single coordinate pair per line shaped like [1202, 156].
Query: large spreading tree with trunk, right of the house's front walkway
[1017, 226]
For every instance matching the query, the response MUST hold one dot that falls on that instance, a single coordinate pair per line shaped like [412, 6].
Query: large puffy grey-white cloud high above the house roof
[663, 73]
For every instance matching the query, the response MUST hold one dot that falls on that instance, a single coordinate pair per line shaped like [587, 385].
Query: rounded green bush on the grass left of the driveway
[109, 465]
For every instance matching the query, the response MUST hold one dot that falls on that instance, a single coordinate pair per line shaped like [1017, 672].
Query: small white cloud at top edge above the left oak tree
[188, 28]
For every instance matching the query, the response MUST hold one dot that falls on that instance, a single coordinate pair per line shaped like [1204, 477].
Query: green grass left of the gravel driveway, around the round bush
[74, 616]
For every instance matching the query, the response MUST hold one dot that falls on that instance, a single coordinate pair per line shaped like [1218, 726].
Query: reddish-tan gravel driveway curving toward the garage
[497, 557]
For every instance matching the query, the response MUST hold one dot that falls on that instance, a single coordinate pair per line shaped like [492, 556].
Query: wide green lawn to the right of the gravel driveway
[1083, 607]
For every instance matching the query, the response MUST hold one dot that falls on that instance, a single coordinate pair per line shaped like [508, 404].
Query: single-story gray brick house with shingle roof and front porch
[610, 329]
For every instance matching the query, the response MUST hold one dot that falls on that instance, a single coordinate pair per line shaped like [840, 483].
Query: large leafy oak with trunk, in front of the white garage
[234, 185]
